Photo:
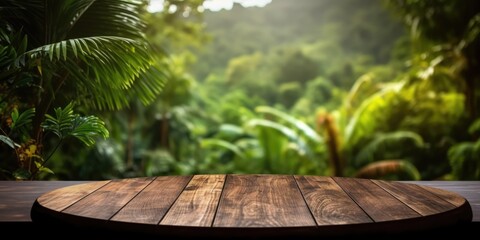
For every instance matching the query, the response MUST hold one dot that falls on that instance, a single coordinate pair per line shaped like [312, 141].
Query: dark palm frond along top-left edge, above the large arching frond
[47, 21]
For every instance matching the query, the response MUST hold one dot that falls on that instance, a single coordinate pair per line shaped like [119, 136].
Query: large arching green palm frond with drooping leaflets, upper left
[111, 70]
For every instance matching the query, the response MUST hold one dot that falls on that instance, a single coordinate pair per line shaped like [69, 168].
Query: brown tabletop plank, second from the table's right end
[416, 197]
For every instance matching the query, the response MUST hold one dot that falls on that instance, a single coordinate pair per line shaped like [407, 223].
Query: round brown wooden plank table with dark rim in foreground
[252, 205]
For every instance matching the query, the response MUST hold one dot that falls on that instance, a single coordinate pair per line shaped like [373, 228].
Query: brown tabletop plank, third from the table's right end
[374, 200]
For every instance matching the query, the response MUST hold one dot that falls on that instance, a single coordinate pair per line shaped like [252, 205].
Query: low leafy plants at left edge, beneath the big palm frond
[64, 124]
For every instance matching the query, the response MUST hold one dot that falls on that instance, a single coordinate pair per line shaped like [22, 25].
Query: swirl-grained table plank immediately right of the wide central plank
[328, 202]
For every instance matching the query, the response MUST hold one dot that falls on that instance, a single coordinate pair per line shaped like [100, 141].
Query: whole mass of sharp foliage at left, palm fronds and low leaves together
[52, 52]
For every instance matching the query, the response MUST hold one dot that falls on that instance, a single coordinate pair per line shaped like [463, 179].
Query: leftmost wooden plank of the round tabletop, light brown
[61, 198]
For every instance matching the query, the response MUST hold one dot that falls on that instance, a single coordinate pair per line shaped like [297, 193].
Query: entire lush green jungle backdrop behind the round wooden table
[359, 88]
